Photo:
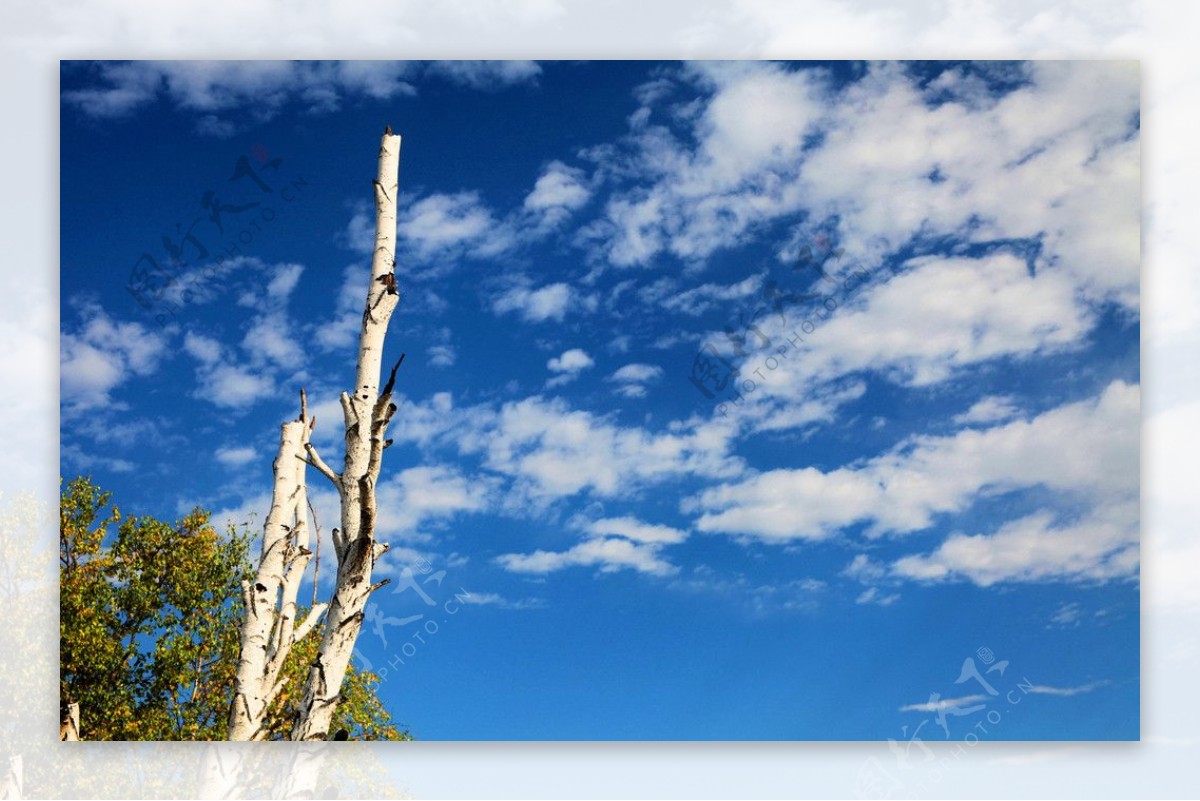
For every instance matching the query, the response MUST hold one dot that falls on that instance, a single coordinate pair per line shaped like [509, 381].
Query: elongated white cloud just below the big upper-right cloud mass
[927, 324]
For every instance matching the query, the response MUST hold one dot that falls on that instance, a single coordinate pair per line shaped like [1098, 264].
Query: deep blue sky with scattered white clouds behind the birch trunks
[927, 278]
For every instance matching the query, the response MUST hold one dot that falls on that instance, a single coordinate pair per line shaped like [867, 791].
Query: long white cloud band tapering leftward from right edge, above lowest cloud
[1087, 449]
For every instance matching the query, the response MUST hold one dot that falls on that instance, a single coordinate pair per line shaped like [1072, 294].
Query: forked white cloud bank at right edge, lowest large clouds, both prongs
[903, 491]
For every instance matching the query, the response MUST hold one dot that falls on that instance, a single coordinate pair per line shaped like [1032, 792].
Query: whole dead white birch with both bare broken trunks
[268, 631]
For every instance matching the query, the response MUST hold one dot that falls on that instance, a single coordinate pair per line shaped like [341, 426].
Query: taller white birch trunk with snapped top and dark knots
[368, 412]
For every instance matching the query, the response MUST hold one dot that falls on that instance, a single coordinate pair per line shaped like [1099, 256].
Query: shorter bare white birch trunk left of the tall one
[269, 630]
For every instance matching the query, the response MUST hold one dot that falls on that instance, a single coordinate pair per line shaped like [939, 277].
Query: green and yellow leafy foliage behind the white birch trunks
[151, 615]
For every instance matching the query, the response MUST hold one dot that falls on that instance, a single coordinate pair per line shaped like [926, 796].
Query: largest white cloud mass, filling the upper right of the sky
[898, 162]
